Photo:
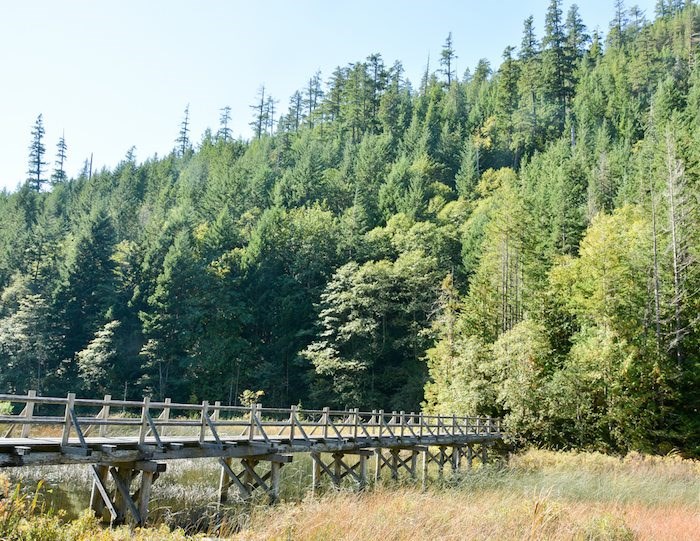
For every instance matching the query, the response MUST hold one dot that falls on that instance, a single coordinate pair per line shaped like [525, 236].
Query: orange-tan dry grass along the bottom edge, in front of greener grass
[410, 515]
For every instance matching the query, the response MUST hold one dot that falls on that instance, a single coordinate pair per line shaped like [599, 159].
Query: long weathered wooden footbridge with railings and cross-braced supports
[129, 441]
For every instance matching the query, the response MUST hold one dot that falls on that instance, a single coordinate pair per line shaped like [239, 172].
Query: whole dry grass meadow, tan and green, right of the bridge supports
[539, 495]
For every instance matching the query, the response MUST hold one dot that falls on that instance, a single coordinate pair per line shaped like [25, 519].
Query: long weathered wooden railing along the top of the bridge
[151, 422]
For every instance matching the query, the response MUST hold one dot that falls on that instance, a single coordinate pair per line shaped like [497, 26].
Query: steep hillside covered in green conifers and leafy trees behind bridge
[519, 240]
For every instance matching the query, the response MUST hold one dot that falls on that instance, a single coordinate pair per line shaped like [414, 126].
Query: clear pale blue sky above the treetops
[112, 74]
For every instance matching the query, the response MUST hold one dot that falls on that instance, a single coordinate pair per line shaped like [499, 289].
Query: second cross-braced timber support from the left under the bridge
[249, 478]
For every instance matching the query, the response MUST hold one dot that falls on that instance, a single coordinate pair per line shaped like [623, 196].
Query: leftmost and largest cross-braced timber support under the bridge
[120, 502]
